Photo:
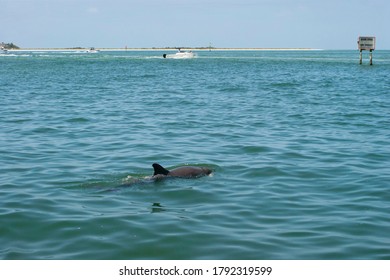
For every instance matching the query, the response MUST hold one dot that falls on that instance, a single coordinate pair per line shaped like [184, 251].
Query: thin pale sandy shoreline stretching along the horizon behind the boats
[167, 49]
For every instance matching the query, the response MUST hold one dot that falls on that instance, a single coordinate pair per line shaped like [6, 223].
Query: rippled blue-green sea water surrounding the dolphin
[299, 142]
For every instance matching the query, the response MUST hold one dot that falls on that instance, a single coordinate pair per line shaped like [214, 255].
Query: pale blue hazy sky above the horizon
[322, 24]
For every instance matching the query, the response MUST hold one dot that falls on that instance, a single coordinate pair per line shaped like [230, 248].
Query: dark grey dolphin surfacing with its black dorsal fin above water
[181, 172]
